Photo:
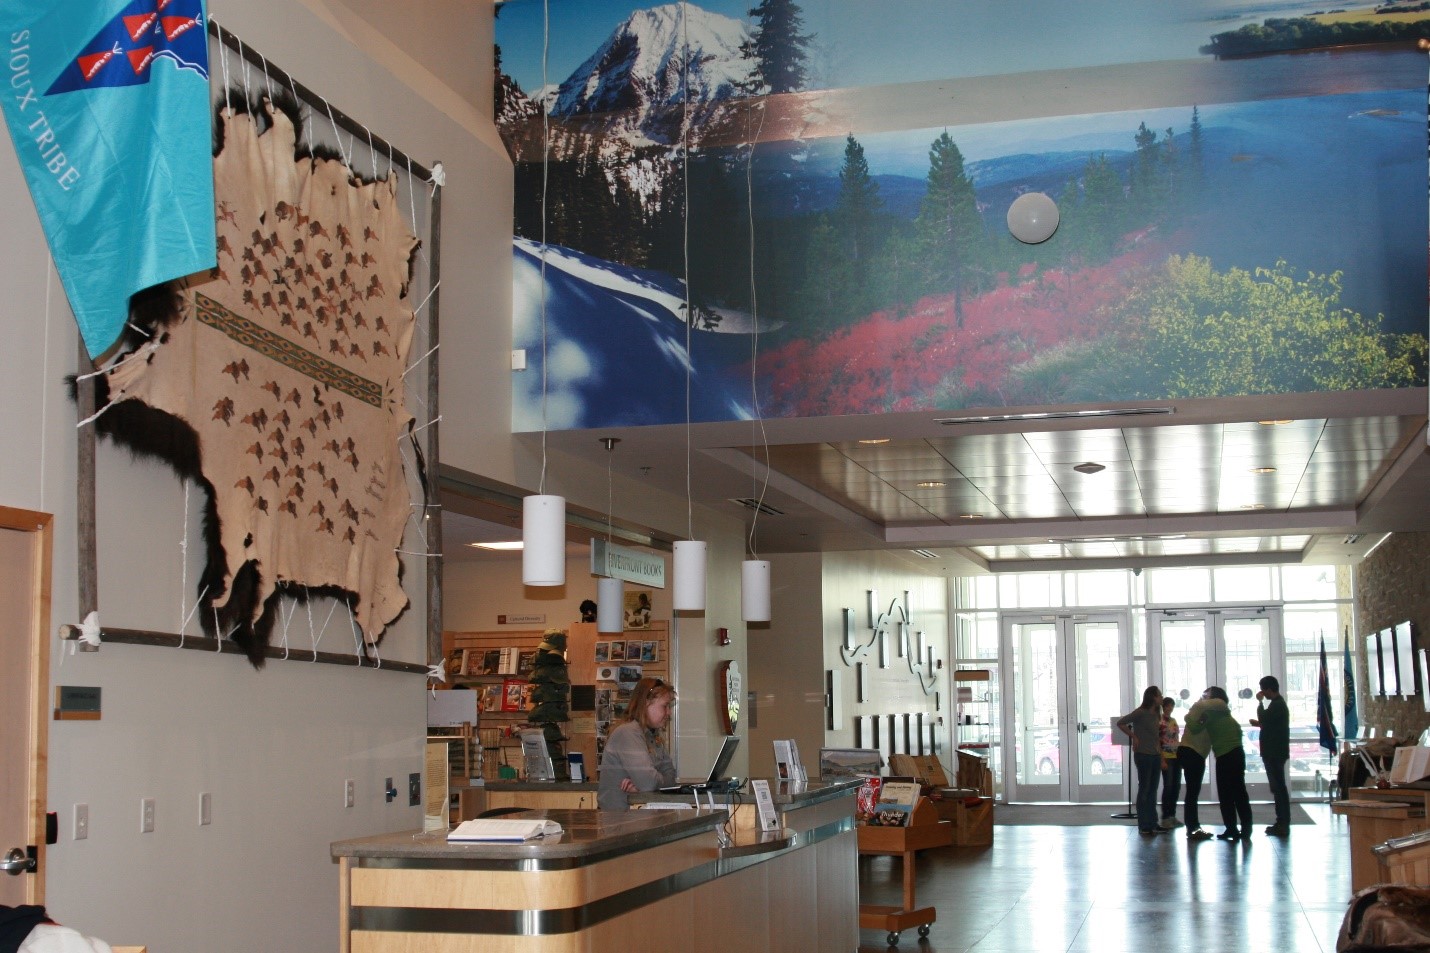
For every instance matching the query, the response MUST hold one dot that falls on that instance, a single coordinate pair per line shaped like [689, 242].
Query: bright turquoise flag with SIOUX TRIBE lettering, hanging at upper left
[108, 107]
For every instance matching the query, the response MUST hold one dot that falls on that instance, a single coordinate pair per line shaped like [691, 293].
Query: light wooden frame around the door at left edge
[42, 549]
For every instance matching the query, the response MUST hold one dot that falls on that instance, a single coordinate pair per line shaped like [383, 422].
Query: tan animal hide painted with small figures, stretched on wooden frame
[288, 366]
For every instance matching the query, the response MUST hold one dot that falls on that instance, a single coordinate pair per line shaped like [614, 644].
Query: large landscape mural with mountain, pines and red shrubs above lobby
[802, 208]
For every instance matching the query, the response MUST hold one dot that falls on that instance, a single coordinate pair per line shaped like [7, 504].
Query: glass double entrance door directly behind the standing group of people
[1225, 647]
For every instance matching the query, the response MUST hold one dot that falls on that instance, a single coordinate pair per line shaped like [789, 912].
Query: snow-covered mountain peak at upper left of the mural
[638, 78]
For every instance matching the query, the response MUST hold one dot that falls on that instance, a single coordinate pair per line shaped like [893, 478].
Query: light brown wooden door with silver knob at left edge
[25, 622]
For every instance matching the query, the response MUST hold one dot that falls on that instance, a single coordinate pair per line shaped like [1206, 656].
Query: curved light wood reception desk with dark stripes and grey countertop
[636, 881]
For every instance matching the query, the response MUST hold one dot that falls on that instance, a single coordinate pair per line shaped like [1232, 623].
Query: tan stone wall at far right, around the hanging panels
[1394, 586]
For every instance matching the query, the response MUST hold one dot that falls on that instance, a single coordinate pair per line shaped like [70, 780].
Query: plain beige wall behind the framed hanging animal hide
[275, 746]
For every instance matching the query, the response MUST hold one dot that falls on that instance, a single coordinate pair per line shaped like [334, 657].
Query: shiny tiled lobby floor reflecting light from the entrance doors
[1106, 889]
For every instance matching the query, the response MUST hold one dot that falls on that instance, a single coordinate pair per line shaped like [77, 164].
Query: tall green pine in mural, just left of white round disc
[949, 224]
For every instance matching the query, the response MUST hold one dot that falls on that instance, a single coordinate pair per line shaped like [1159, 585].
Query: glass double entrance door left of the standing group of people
[1069, 682]
